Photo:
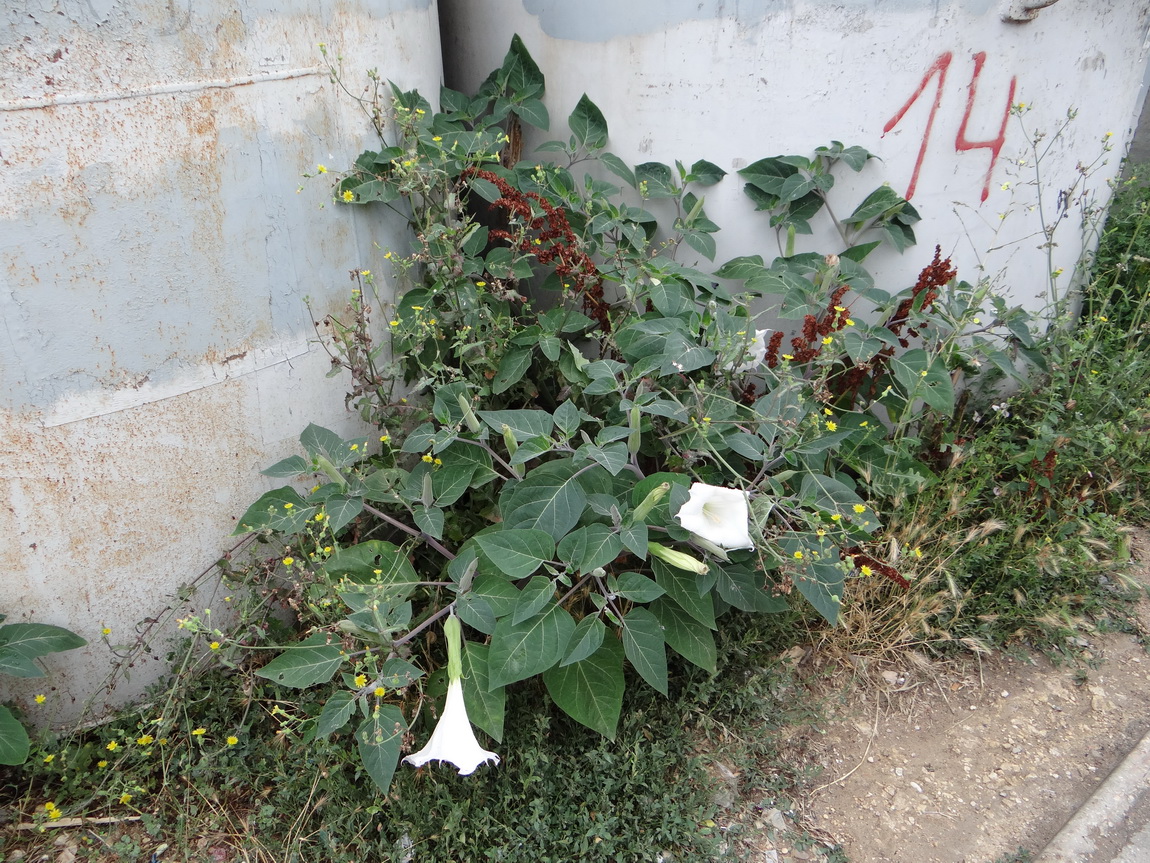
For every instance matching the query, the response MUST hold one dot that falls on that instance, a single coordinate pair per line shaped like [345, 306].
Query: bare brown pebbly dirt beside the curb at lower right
[967, 762]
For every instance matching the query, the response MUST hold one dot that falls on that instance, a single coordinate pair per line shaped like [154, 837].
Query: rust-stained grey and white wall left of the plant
[155, 259]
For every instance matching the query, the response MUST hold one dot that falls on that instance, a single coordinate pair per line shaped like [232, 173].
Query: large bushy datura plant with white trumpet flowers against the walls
[591, 444]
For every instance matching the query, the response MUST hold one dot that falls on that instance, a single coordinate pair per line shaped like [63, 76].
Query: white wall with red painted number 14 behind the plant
[925, 85]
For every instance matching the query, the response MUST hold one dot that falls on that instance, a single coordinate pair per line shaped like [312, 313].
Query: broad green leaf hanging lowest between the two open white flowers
[592, 691]
